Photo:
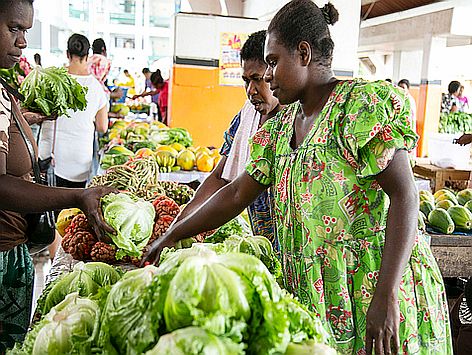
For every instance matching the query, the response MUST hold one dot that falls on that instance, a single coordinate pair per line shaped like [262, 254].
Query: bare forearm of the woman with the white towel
[212, 184]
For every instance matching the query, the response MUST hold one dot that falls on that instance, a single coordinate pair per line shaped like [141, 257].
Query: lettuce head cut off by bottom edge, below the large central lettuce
[195, 341]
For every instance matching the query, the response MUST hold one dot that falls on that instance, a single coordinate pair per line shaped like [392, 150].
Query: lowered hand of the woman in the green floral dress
[382, 324]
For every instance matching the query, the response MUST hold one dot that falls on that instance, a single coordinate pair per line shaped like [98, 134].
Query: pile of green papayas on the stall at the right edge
[445, 211]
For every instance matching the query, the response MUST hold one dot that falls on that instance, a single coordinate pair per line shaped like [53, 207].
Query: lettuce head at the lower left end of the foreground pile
[71, 327]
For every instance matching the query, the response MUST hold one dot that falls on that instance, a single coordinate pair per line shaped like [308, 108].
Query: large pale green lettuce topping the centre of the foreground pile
[205, 293]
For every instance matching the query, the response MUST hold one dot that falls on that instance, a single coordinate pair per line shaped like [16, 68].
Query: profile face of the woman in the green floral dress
[284, 71]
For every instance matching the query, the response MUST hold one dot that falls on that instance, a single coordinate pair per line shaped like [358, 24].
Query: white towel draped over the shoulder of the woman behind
[239, 154]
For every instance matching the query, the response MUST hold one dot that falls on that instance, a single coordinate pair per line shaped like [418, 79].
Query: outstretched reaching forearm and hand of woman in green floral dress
[226, 204]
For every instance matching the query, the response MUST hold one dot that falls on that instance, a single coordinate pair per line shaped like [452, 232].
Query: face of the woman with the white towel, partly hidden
[257, 90]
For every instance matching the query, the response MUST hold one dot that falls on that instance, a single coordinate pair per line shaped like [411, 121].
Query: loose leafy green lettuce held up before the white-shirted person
[52, 91]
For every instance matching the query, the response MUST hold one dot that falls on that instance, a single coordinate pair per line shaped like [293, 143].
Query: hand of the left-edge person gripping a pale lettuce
[90, 204]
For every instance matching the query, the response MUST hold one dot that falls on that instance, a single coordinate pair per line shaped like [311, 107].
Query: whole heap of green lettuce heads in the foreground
[200, 300]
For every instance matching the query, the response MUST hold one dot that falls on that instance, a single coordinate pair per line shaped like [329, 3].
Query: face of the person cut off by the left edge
[14, 22]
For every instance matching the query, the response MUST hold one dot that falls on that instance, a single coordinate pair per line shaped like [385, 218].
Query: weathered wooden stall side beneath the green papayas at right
[453, 254]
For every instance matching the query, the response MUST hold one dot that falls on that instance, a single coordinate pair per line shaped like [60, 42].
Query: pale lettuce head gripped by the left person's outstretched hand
[133, 220]
